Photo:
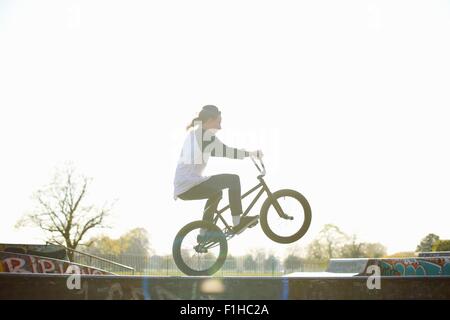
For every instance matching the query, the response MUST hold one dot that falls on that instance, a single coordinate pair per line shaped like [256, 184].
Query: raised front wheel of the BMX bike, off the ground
[295, 223]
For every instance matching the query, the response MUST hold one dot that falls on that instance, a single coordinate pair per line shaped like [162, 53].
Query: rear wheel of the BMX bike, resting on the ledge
[198, 255]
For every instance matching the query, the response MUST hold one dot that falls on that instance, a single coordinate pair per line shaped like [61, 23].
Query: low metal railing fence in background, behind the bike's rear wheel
[165, 265]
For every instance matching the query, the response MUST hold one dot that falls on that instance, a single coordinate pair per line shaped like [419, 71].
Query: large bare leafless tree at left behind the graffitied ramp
[62, 211]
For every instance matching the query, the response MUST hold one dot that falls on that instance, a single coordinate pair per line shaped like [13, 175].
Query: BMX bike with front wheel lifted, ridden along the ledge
[285, 217]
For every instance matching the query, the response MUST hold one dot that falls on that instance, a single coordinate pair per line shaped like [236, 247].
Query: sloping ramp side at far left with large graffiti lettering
[25, 263]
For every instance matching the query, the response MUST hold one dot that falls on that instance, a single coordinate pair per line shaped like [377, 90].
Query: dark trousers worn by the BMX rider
[211, 189]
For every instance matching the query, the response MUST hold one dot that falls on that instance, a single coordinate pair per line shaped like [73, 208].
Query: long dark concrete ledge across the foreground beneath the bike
[55, 286]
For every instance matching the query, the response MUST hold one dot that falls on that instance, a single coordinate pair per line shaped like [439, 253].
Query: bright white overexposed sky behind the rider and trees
[349, 100]
